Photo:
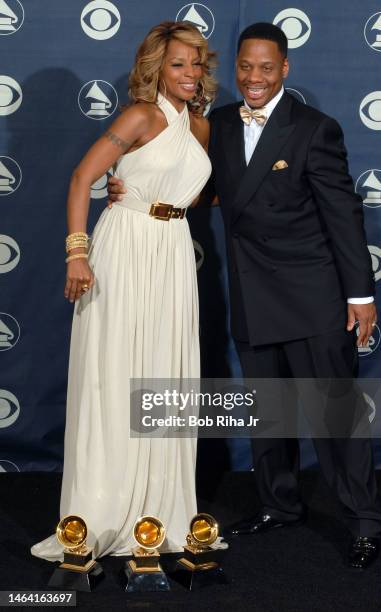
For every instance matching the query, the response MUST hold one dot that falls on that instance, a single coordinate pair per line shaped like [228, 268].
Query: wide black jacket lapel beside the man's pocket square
[275, 133]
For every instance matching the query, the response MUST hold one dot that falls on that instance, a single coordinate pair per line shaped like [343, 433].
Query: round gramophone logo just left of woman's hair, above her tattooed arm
[97, 100]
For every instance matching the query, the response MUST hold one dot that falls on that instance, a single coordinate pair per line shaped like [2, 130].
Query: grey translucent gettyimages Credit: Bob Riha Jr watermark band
[268, 408]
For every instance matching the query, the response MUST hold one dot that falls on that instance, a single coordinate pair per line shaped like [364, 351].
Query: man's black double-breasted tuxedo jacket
[295, 238]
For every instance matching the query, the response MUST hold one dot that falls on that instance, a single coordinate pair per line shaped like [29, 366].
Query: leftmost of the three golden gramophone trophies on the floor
[79, 571]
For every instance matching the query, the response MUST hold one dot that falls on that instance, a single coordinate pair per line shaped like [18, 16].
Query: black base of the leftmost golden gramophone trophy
[81, 579]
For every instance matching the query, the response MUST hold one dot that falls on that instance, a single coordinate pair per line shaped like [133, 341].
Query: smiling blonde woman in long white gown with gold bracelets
[137, 309]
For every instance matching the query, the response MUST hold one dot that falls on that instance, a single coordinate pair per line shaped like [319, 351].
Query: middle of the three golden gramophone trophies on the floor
[144, 572]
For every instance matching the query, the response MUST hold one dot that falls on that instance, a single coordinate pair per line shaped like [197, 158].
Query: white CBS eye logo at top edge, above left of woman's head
[100, 19]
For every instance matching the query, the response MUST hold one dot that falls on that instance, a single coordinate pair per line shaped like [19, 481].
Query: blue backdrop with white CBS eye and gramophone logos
[63, 72]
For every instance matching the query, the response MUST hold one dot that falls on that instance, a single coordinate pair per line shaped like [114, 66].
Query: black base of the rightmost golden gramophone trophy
[194, 577]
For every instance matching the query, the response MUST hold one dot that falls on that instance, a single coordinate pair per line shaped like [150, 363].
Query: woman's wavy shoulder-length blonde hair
[144, 78]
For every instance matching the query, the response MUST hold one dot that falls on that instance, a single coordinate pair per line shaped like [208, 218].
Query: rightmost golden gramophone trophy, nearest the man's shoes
[200, 563]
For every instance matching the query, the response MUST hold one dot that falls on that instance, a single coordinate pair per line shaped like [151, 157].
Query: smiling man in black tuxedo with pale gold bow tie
[299, 274]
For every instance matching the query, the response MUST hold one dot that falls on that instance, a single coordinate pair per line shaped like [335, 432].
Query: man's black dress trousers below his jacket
[347, 463]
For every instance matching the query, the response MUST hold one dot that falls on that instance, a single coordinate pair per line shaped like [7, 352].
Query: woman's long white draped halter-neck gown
[140, 320]
